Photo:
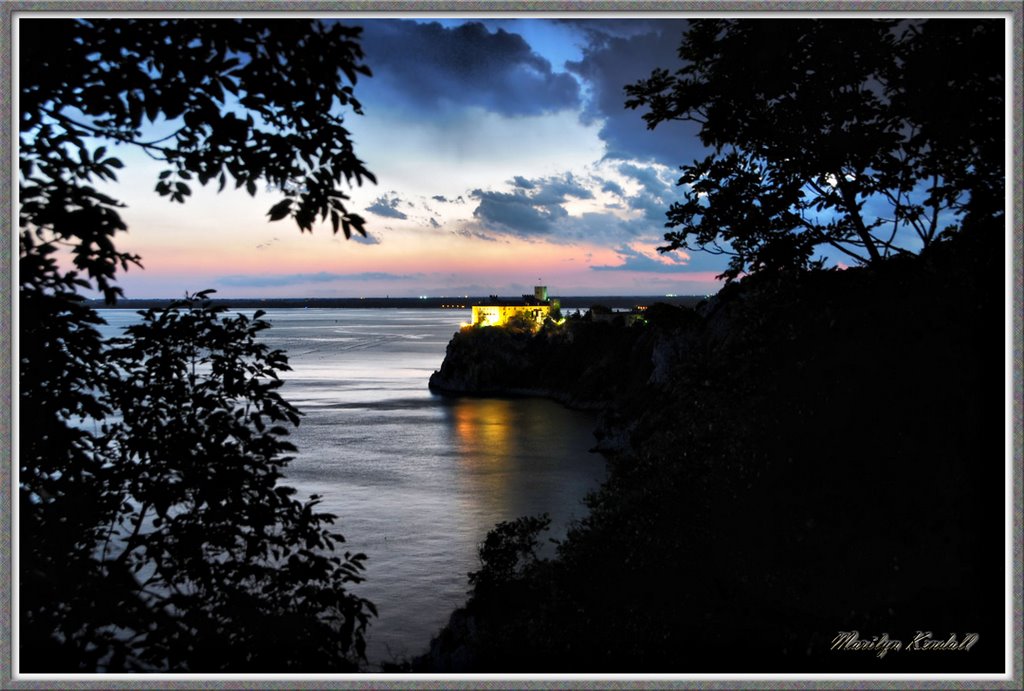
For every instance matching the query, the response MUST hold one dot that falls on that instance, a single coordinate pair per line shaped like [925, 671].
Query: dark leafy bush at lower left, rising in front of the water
[193, 557]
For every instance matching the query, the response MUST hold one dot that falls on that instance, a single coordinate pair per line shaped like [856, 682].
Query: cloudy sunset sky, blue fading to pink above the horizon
[505, 158]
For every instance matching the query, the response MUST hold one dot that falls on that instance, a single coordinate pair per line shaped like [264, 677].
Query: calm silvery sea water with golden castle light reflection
[417, 481]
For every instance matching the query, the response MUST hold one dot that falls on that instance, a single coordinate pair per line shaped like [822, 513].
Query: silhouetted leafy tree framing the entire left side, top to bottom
[154, 535]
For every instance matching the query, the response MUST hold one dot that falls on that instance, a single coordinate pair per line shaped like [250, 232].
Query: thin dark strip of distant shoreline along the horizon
[571, 303]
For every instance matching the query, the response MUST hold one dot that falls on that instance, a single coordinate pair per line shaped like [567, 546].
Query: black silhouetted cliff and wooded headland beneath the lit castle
[803, 456]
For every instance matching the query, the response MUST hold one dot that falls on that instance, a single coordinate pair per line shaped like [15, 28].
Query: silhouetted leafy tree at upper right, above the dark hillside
[865, 138]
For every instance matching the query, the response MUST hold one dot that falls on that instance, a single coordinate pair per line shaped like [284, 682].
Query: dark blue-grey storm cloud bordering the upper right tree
[622, 53]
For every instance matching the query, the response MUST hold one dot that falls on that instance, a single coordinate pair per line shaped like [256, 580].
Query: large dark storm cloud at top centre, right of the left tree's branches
[425, 67]
